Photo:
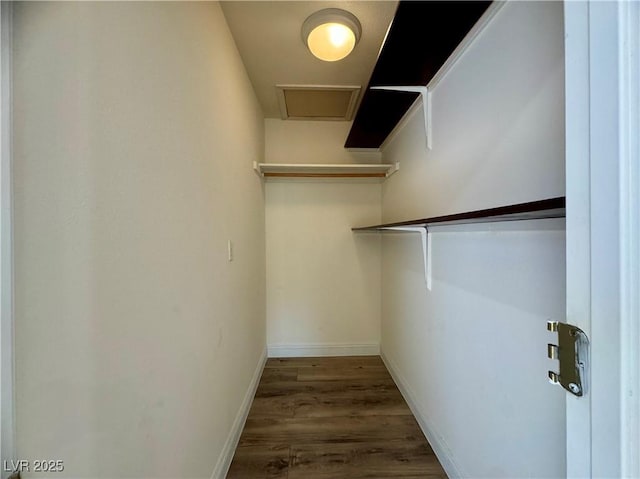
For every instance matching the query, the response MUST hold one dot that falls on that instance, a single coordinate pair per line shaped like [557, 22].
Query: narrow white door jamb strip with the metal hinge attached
[578, 226]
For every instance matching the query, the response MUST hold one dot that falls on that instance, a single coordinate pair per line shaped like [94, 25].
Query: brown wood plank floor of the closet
[331, 417]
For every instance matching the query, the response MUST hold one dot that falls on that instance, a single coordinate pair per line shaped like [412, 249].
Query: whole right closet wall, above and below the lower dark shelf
[470, 353]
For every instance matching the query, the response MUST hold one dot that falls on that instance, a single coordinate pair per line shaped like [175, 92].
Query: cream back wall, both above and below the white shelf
[323, 282]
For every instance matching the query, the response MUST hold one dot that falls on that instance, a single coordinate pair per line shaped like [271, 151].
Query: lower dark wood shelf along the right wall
[534, 210]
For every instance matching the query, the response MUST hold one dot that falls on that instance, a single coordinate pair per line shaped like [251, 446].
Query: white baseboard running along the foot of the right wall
[443, 452]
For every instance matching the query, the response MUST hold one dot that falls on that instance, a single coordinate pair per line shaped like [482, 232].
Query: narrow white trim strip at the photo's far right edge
[629, 40]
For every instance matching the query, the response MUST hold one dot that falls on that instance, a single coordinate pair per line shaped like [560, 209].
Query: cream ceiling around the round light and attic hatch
[268, 37]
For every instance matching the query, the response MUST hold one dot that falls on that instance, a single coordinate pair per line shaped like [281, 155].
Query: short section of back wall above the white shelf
[322, 142]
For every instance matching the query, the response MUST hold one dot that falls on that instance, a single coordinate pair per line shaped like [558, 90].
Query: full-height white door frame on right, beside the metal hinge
[602, 189]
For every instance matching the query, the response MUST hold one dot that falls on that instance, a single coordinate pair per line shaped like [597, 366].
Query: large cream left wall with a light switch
[136, 339]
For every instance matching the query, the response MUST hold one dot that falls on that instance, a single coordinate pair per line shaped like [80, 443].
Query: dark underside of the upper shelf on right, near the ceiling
[420, 40]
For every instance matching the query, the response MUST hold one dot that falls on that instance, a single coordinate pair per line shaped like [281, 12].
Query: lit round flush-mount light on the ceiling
[331, 34]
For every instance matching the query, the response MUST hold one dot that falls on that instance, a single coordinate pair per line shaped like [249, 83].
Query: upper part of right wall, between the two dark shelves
[498, 123]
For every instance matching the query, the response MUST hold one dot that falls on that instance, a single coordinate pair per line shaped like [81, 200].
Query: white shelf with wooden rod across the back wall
[298, 170]
